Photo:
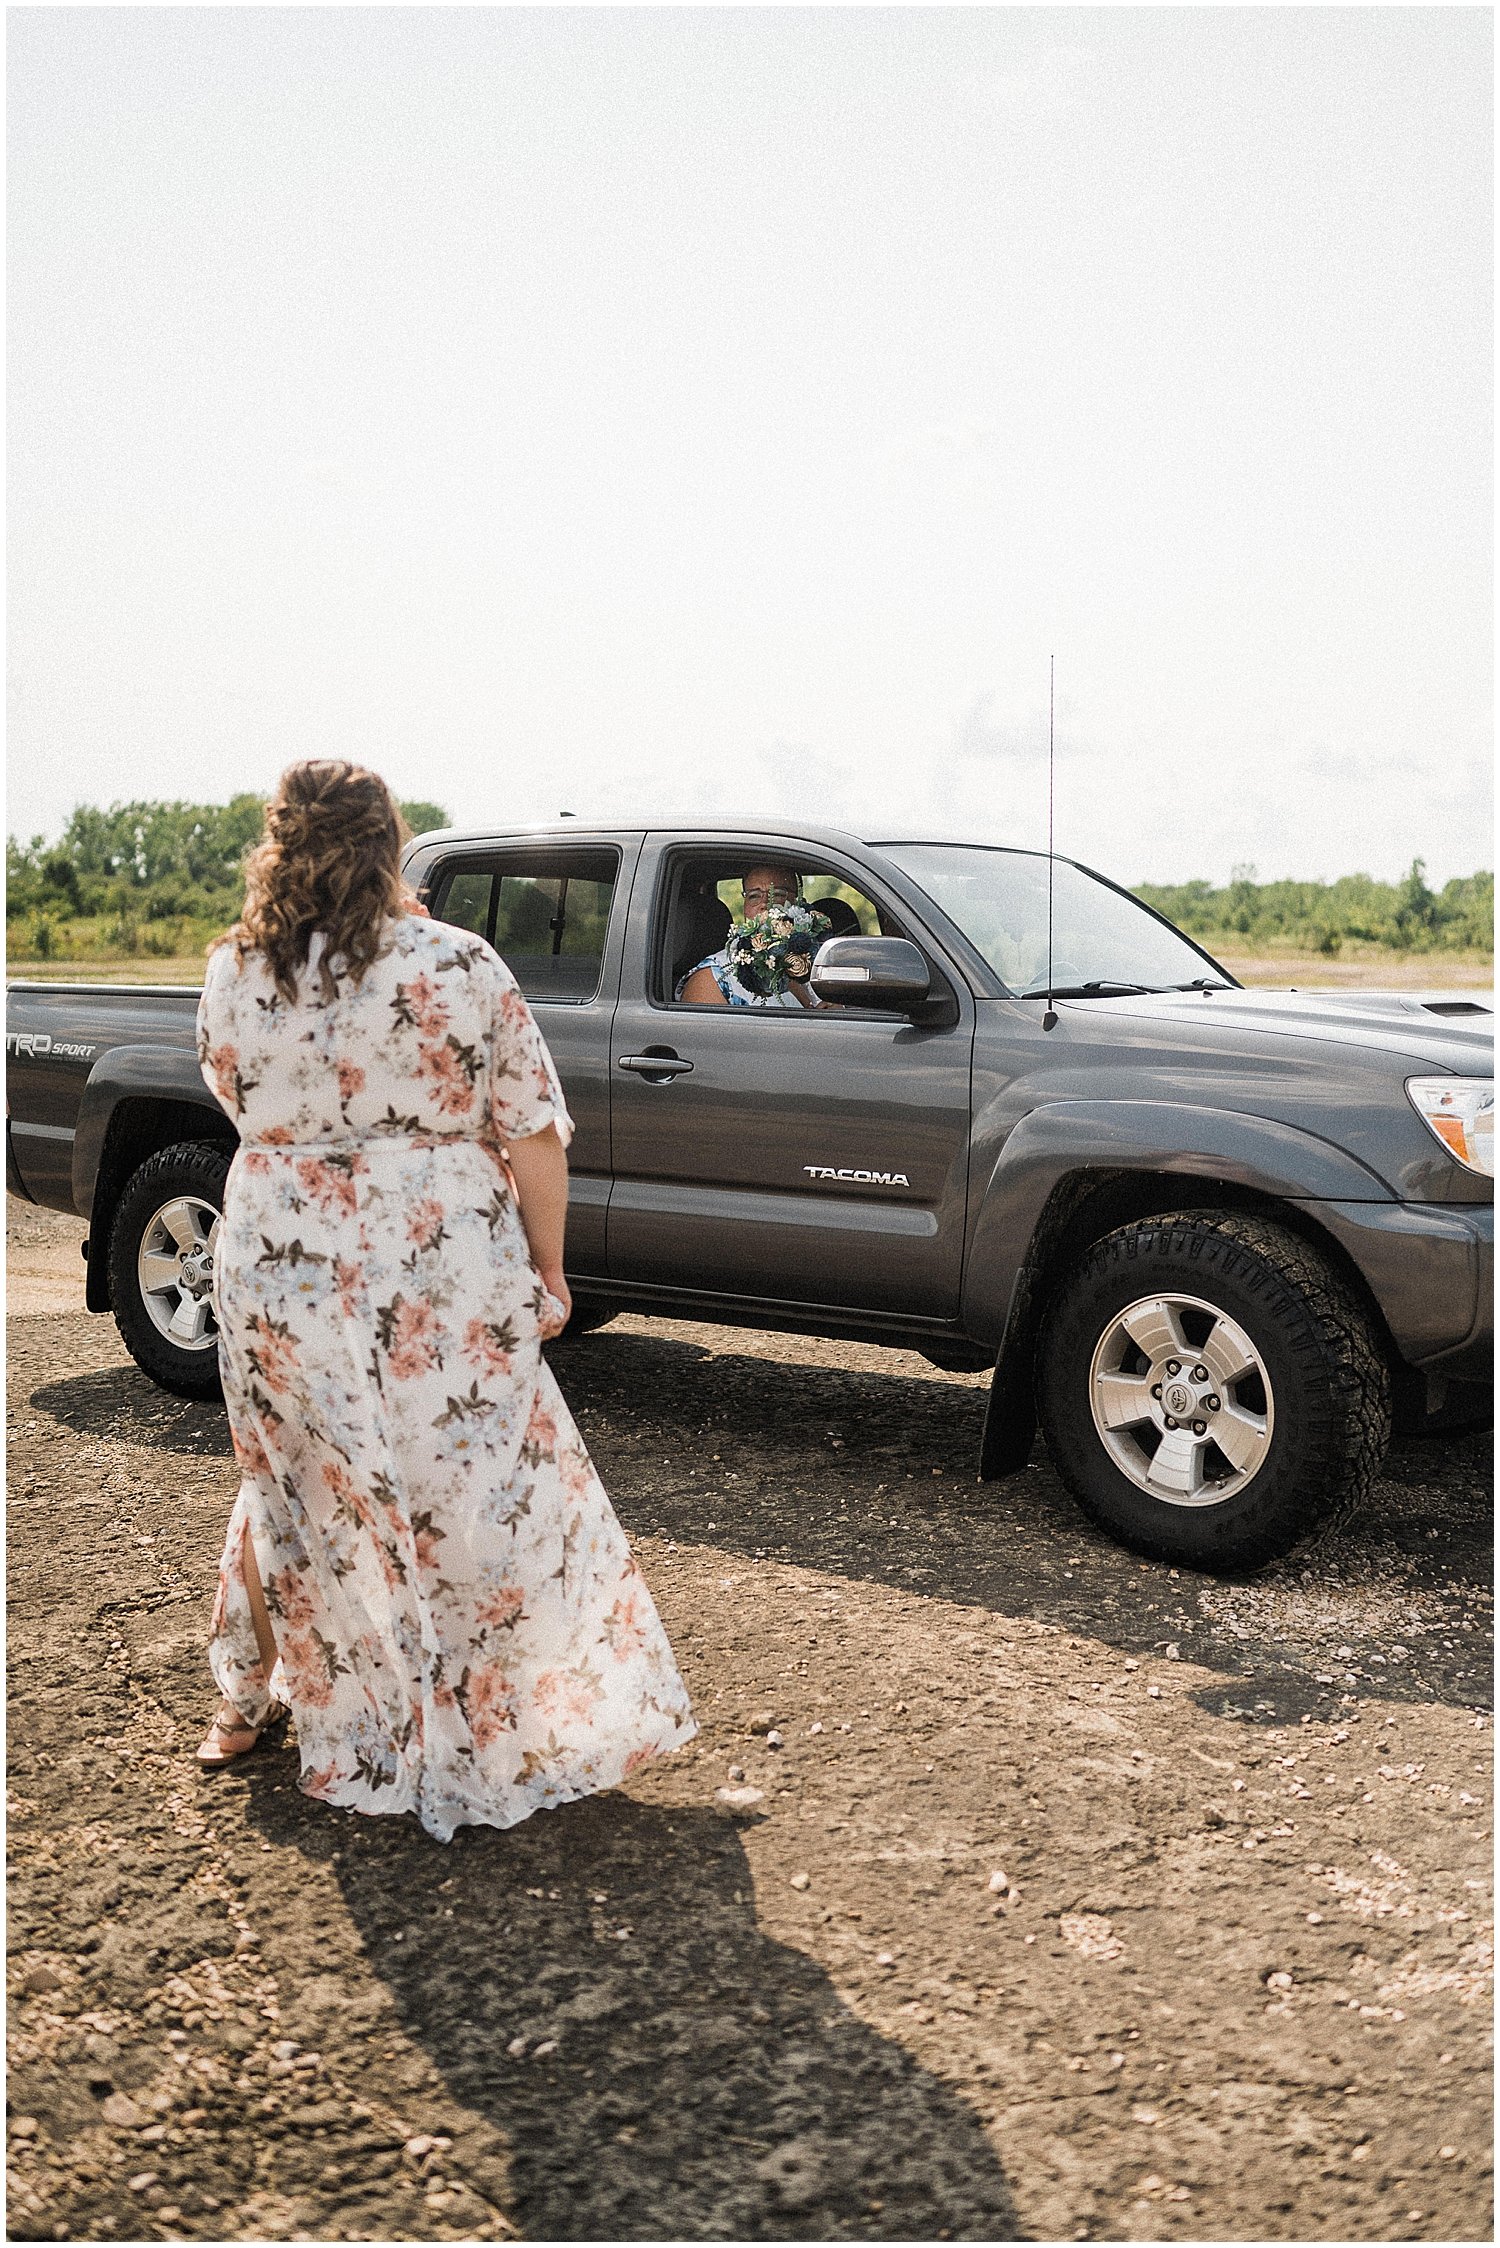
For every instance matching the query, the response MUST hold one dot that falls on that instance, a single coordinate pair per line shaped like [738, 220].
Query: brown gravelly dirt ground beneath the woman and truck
[1078, 1898]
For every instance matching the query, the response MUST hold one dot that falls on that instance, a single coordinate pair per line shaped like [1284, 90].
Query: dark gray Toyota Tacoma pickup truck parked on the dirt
[1213, 1240]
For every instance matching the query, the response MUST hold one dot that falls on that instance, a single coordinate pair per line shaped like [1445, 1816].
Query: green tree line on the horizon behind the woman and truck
[168, 878]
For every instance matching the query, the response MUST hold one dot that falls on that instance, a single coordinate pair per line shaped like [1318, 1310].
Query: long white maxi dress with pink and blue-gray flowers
[462, 1631]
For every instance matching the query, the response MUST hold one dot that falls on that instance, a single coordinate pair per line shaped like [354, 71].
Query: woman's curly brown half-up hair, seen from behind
[329, 860]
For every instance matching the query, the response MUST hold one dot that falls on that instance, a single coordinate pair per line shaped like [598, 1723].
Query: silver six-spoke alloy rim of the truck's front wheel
[1182, 1399]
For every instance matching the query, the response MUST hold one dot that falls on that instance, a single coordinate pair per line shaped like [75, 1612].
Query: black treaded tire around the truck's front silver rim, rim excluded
[1326, 1368]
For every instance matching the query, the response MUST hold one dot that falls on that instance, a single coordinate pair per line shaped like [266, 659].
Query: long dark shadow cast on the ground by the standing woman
[703, 2083]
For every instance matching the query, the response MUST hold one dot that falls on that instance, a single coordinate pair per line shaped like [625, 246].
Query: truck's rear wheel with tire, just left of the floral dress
[163, 1267]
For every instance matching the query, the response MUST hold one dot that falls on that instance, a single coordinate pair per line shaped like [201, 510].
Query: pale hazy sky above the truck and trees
[651, 413]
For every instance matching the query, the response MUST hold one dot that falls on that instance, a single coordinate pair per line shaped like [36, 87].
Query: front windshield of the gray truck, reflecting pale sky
[1000, 898]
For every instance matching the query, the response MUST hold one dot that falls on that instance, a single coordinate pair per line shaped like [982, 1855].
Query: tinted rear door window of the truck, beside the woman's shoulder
[545, 914]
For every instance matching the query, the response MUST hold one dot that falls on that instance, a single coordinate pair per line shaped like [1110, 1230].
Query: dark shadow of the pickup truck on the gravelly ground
[844, 1483]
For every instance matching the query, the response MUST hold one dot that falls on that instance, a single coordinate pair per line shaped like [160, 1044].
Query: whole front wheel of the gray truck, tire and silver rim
[1211, 1390]
